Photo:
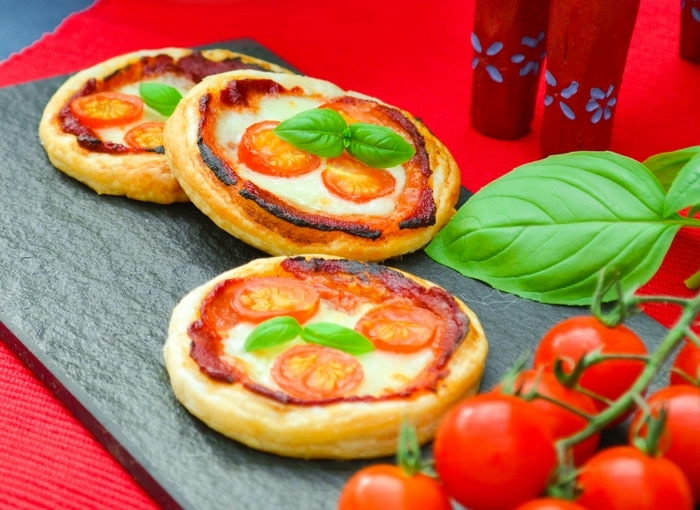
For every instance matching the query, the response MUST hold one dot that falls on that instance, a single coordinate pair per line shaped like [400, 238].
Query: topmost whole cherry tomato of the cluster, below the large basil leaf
[570, 339]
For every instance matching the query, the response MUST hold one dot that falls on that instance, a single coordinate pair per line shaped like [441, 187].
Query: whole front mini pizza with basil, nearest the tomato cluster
[321, 357]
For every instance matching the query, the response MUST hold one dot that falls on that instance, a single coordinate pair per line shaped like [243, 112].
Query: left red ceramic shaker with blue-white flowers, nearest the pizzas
[509, 44]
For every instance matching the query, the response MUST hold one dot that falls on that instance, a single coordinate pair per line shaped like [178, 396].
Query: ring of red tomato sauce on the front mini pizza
[344, 285]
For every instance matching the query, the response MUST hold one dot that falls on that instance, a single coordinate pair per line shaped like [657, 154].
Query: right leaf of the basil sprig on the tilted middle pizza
[378, 146]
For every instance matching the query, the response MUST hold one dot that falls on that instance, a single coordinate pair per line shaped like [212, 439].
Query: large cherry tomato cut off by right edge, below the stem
[681, 444]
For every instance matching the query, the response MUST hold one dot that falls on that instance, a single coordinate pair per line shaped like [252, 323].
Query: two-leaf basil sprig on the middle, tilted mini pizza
[325, 133]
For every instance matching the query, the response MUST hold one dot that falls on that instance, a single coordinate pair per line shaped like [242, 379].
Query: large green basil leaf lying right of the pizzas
[547, 229]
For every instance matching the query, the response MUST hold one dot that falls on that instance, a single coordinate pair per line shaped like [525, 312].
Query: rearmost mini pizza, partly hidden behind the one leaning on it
[97, 129]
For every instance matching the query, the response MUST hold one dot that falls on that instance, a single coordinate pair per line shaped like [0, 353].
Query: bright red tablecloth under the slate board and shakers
[415, 54]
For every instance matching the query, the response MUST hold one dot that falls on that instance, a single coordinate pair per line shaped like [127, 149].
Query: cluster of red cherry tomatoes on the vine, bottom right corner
[502, 449]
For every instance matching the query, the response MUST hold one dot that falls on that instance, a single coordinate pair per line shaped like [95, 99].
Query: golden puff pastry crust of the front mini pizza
[343, 429]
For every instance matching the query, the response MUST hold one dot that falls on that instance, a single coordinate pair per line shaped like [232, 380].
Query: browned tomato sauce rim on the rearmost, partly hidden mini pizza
[193, 67]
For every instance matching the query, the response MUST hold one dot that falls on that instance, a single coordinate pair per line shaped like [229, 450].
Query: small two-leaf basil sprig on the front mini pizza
[279, 330]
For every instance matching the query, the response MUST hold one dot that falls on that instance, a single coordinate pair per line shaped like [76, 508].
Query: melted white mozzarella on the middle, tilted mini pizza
[306, 192]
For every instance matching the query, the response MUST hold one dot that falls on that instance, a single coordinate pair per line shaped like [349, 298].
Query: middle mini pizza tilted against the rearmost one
[222, 147]
